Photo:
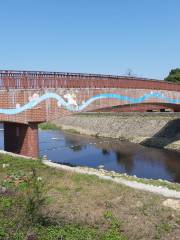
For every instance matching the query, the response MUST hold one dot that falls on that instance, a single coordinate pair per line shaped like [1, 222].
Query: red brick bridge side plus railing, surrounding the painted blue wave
[16, 89]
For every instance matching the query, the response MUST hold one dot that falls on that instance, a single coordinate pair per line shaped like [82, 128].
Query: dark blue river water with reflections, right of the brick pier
[124, 157]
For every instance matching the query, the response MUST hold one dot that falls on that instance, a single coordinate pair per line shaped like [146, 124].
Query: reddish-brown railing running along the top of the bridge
[41, 80]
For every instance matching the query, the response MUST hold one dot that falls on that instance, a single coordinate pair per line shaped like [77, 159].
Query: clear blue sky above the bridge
[91, 36]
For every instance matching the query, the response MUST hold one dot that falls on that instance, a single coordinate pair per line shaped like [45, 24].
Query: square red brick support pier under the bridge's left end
[21, 139]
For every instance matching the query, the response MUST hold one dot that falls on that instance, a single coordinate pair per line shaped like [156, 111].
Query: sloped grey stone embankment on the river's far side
[151, 129]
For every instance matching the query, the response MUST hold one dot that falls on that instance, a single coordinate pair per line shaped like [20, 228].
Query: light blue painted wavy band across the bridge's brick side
[63, 103]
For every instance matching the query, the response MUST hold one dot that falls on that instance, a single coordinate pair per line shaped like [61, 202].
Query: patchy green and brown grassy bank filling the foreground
[82, 206]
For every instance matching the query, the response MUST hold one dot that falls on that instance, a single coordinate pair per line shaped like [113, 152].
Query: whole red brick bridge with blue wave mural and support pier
[28, 98]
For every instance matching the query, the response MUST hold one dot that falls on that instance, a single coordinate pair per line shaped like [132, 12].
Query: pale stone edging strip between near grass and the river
[161, 187]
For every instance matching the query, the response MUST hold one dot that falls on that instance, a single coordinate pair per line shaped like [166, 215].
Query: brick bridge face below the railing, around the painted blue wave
[49, 109]
